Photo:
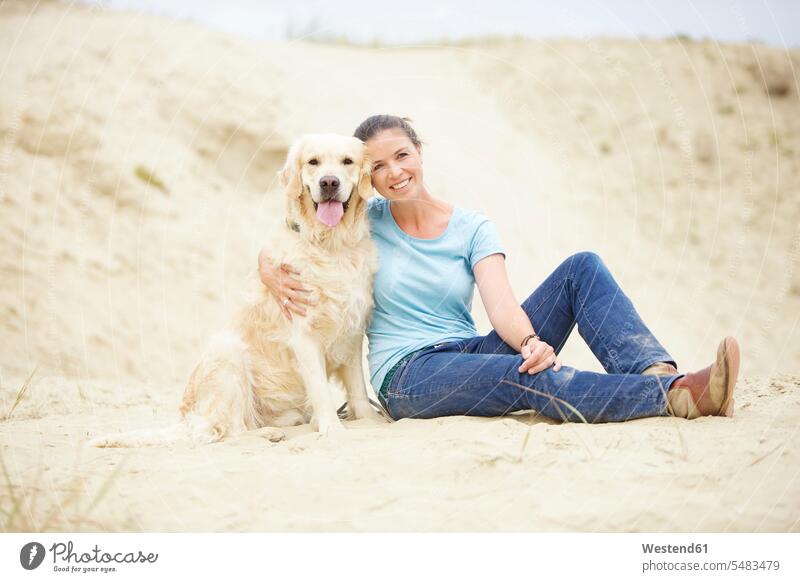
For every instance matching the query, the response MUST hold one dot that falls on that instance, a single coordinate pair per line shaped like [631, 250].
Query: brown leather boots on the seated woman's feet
[709, 391]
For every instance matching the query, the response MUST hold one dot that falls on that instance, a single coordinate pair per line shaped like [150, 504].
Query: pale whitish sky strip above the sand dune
[775, 22]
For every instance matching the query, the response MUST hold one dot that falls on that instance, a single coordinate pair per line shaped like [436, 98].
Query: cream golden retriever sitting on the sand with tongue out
[268, 372]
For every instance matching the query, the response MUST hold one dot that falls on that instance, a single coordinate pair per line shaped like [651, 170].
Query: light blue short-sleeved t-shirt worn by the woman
[424, 287]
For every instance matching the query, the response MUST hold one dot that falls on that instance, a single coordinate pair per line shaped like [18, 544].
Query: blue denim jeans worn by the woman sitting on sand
[477, 376]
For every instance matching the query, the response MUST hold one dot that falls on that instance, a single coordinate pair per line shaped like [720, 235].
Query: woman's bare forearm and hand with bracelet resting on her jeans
[507, 318]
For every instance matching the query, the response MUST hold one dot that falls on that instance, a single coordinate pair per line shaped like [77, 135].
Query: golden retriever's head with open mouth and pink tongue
[326, 177]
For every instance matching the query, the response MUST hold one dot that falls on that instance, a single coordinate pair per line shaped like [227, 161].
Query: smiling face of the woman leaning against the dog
[396, 165]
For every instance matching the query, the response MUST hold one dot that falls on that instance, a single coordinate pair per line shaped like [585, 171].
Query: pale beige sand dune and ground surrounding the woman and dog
[137, 184]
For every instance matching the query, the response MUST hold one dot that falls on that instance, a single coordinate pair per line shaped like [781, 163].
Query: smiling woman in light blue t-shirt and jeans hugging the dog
[425, 356]
